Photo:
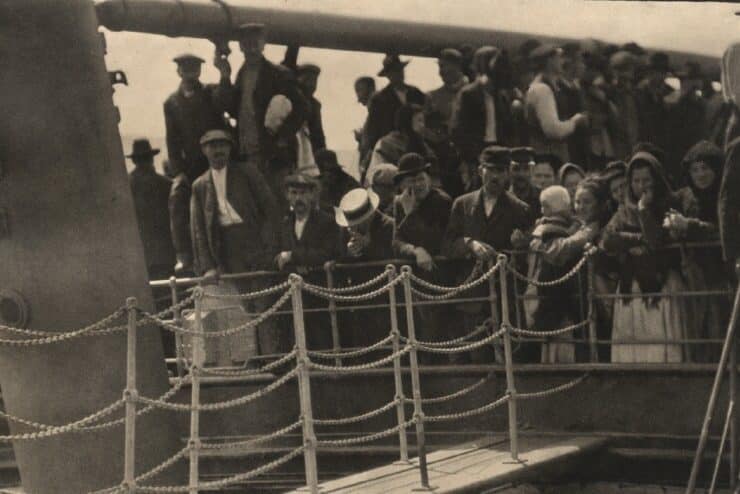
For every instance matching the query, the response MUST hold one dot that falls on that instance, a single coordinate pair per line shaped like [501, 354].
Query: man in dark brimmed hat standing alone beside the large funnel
[151, 191]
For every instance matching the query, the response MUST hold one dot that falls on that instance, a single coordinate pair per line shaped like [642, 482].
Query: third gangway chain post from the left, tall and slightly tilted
[304, 385]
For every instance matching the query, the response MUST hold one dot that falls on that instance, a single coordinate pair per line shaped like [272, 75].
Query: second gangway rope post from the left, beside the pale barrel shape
[198, 359]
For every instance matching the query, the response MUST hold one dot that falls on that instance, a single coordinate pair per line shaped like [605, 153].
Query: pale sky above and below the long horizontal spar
[147, 59]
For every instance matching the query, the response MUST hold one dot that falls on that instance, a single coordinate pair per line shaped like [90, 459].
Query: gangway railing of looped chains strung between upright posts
[496, 331]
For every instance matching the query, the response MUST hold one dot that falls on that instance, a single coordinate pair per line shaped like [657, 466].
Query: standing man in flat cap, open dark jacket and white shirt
[233, 225]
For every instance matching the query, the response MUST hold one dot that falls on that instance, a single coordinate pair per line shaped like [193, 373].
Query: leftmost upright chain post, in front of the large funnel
[130, 395]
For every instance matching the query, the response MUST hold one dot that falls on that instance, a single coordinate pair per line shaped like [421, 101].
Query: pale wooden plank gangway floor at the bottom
[469, 467]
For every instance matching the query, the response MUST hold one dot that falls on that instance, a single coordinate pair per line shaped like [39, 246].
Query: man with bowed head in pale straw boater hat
[367, 236]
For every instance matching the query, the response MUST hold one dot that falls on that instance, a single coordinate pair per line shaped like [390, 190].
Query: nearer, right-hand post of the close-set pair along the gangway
[415, 380]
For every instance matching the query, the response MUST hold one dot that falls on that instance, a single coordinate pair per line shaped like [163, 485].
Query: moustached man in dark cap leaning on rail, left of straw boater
[308, 238]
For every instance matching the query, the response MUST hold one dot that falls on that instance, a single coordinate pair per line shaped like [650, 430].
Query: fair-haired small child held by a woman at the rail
[557, 245]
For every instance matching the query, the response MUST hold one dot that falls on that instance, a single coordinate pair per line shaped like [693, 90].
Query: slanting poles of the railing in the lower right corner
[728, 354]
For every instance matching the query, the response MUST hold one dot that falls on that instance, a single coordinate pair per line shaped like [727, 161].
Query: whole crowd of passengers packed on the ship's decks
[549, 152]
